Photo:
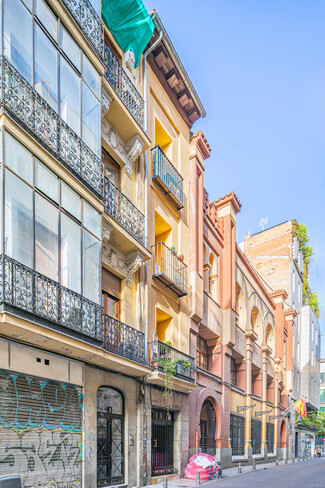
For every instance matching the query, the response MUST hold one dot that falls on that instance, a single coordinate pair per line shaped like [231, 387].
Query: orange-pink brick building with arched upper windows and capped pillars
[237, 334]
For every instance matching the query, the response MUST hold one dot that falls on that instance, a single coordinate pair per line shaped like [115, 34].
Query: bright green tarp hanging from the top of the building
[130, 24]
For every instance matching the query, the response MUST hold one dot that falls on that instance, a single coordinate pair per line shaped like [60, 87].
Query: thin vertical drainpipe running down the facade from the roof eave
[146, 187]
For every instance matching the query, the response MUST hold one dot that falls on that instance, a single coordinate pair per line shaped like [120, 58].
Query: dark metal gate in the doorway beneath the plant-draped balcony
[162, 456]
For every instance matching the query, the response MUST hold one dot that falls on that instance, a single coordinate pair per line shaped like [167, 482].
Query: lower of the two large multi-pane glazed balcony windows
[44, 226]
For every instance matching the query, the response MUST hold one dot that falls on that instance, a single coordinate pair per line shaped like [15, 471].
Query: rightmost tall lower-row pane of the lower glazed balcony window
[91, 267]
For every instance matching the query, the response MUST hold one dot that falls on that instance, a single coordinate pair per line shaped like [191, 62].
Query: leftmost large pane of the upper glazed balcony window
[17, 37]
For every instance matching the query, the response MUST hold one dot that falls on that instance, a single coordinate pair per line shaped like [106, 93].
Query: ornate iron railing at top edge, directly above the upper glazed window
[89, 22]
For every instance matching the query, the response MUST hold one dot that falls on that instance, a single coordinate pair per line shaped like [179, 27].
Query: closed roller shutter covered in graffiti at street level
[40, 431]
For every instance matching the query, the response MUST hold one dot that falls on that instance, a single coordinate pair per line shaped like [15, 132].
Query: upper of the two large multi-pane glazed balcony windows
[56, 64]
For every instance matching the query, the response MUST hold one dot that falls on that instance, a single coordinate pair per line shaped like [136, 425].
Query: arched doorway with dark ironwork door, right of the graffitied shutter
[110, 433]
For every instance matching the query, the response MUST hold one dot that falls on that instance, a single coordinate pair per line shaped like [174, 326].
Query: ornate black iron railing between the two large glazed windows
[31, 111]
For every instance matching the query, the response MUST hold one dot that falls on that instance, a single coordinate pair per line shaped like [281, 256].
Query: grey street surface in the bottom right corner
[309, 474]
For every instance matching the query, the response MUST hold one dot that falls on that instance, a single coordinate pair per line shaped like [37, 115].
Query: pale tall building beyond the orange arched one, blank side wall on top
[275, 254]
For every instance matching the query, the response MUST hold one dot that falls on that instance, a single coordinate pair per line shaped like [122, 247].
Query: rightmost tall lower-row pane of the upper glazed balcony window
[90, 119]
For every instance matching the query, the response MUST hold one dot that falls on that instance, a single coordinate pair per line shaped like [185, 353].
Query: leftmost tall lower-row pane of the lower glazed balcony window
[18, 220]
